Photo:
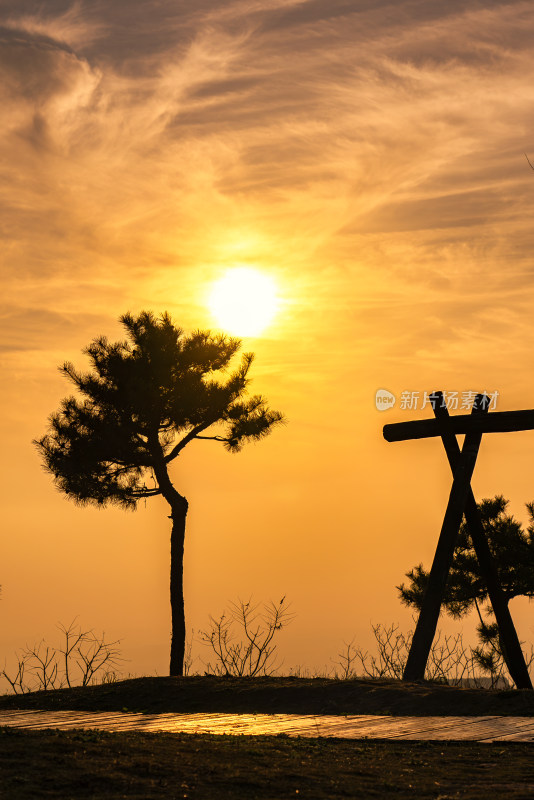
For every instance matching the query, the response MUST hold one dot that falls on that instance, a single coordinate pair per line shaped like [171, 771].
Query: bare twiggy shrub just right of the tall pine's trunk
[253, 653]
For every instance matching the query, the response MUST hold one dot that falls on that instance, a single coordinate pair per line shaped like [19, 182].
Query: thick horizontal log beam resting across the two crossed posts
[496, 422]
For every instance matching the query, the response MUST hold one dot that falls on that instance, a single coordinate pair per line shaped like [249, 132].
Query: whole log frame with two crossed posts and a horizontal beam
[462, 501]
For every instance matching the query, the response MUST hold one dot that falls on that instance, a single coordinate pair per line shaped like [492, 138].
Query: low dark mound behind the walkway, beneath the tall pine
[281, 695]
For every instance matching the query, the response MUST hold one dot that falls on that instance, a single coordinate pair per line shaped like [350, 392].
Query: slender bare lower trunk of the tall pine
[178, 516]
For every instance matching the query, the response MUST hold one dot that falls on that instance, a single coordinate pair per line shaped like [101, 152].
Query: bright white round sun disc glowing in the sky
[244, 301]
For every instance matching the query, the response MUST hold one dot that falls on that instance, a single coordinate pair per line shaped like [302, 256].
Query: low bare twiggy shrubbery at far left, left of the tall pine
[81, 659]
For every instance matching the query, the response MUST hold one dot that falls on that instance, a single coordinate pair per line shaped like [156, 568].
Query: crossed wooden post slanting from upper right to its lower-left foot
[428, 618]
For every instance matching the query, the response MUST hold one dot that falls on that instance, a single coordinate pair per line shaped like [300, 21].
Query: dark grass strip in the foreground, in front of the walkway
[89, 764]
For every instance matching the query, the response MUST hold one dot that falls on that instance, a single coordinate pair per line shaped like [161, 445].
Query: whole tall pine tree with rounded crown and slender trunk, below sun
[144, 400]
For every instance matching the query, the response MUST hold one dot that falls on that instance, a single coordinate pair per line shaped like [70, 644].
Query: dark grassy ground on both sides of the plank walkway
[109, 766]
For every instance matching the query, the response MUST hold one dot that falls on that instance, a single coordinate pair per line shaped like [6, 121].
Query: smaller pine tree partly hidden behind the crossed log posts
[512, 548]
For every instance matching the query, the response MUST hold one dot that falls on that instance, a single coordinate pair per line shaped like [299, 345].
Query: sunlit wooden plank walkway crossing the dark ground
[480, 729]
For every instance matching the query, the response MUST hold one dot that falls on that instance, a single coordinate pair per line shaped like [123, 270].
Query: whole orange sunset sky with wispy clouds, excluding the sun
[369, 157]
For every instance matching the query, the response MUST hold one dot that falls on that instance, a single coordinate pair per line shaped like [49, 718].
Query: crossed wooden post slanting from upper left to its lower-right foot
[513, 655]
